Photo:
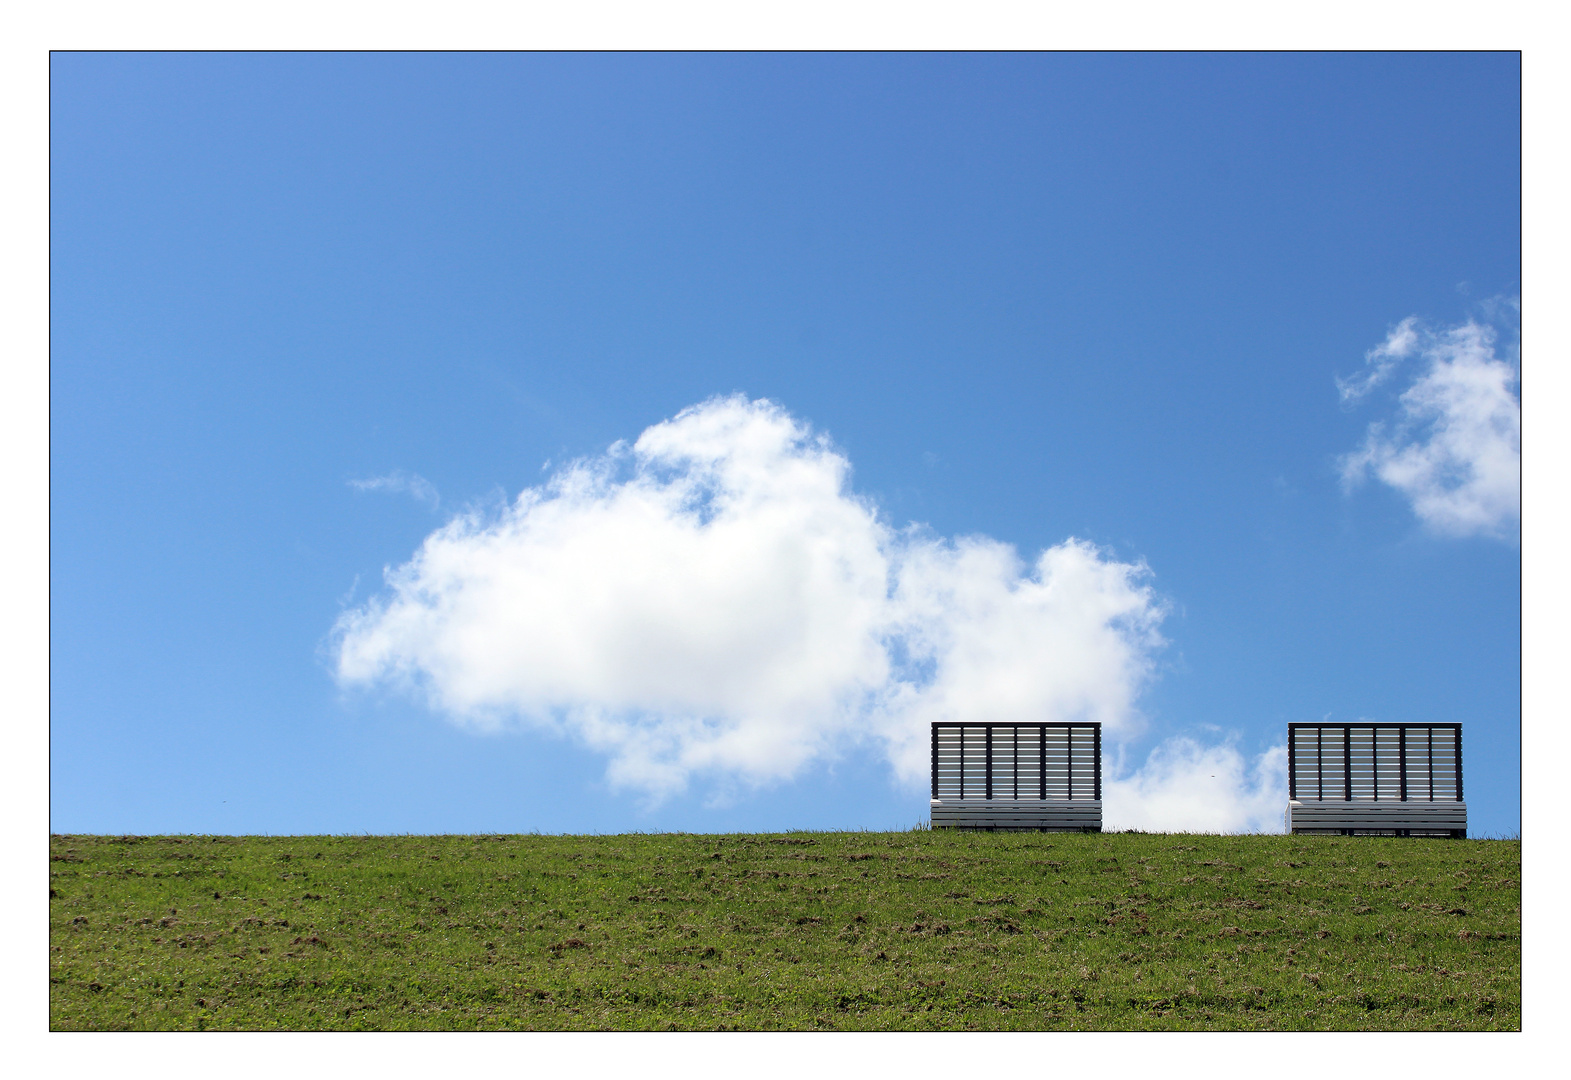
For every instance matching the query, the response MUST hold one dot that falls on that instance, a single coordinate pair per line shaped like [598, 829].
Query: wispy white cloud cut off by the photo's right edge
[1456, 446]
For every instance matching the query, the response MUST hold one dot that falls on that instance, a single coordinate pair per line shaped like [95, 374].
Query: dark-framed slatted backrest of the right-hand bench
[1375, 762]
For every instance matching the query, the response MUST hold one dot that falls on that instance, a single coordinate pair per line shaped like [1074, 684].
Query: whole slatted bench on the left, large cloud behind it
[1044, 777]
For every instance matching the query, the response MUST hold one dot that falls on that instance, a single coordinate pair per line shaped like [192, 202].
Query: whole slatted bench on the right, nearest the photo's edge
[1375, 781]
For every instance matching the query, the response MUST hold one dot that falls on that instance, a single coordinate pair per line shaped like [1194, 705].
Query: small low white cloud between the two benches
[1185, 787]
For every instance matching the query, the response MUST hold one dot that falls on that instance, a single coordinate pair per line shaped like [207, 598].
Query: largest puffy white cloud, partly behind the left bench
[714, 601]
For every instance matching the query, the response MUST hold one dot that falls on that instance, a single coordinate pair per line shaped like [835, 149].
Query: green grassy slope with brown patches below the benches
[885, 931]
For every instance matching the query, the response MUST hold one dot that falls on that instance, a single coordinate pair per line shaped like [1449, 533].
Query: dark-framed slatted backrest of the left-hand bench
[1017, 762]
